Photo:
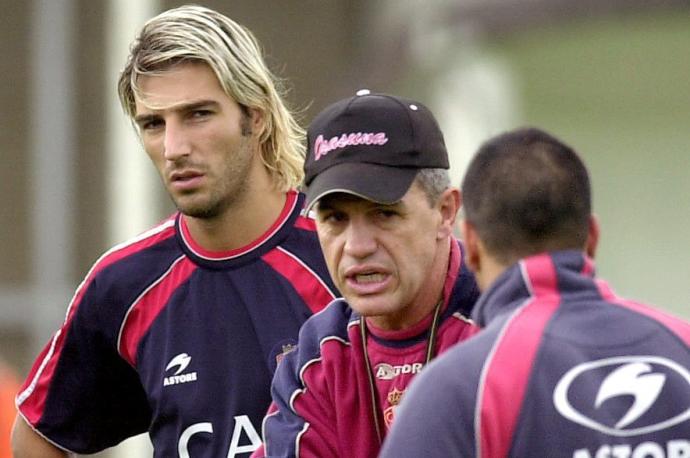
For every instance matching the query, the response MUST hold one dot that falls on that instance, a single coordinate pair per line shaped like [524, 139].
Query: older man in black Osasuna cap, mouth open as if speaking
[377, 178]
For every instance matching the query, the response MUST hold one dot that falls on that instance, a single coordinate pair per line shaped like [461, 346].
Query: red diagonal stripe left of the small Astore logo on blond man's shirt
[148, 305]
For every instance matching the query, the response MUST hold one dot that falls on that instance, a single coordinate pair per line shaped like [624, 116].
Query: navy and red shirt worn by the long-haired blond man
[166, 337]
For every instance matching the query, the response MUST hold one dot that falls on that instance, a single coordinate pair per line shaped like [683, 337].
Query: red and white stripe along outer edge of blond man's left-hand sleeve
[31, 400]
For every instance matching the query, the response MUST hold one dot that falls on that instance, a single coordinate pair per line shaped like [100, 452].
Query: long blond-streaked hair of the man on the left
[196, 34]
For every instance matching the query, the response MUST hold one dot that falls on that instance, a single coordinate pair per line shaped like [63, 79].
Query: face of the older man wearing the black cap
[381, 256]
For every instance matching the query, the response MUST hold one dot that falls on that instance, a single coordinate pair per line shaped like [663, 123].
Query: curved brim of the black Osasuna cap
[374, 182]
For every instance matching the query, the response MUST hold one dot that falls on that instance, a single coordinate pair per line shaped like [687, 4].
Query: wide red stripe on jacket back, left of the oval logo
[507, 370]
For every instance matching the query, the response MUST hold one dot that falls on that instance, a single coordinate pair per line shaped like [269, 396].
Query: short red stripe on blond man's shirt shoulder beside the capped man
[308, 284]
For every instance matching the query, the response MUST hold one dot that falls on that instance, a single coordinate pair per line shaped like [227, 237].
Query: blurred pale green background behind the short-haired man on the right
[618, 91]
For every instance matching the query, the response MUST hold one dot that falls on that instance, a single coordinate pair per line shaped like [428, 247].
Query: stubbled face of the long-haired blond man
[199, 139]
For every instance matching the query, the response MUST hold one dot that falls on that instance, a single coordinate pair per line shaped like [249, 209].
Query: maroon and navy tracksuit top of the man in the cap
[329, 403]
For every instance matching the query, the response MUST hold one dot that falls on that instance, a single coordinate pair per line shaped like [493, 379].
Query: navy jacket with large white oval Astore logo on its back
[562, 368]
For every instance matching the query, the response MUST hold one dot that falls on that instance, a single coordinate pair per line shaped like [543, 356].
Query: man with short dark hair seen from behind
[563, 366]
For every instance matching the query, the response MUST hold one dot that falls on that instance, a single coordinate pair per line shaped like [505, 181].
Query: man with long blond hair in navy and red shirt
[178, 331]
